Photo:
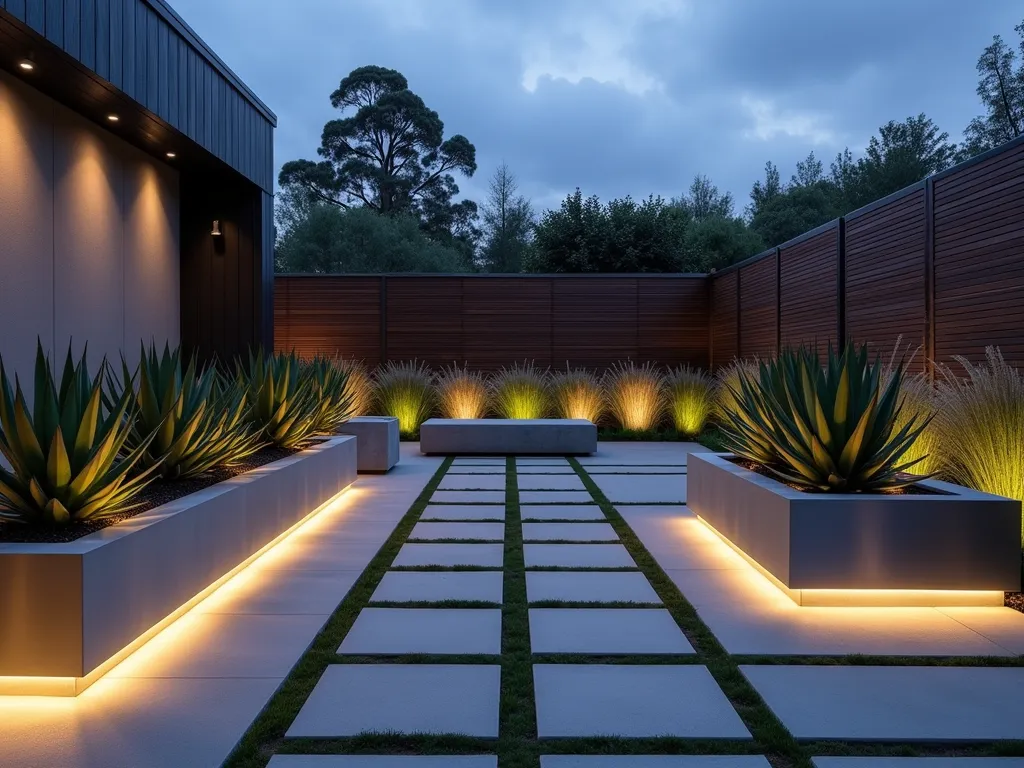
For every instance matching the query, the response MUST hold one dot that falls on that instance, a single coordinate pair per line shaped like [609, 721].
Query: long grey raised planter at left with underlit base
[70, 611]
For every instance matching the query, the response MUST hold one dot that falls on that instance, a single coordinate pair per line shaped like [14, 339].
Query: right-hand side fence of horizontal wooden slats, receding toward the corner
[940, 265]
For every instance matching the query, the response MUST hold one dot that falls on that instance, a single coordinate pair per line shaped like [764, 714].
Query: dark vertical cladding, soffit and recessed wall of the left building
[139, 58]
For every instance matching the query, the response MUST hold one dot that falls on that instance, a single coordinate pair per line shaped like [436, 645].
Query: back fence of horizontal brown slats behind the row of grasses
[488, 322]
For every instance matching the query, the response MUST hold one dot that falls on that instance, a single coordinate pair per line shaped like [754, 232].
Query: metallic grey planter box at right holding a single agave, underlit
[959, 541]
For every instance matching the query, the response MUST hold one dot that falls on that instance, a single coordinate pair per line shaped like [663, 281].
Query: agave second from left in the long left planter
[199, 421]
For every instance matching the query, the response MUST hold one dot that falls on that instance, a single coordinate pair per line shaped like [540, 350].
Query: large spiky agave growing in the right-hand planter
[828, 429]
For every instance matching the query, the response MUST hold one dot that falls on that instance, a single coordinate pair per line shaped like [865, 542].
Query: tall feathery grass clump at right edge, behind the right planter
[980, 424]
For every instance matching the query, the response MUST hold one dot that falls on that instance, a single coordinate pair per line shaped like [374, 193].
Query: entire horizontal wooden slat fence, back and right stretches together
[940, 265]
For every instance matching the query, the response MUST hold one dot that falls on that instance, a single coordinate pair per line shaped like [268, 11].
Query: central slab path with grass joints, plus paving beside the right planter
[539, 615]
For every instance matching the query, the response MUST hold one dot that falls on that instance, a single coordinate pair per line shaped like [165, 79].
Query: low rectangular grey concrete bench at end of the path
[507, 437]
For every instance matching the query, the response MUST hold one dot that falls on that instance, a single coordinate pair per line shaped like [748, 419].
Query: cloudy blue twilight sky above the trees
[621, 97]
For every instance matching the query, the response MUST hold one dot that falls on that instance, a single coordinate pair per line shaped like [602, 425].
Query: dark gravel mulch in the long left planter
[157, 493]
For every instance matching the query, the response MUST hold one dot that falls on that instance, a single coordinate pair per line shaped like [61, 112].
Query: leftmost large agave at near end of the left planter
[68, 454]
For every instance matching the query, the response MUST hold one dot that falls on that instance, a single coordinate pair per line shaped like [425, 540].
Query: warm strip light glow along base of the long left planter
[170, 636]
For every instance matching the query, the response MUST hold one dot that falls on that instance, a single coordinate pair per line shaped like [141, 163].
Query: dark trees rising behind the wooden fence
[383, 195]
